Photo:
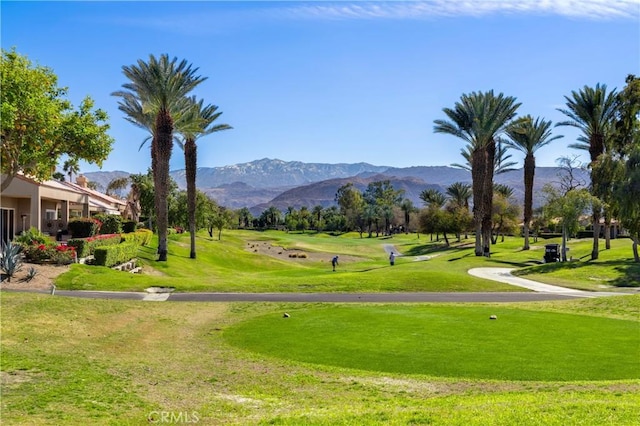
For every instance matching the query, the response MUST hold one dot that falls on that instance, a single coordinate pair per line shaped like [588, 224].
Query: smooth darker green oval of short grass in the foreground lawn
[450, 341]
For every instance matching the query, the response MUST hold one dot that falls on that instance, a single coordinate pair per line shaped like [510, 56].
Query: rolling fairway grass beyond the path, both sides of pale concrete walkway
[229, 266]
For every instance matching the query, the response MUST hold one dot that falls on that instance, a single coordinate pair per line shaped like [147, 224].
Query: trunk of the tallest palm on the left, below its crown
[164, 128]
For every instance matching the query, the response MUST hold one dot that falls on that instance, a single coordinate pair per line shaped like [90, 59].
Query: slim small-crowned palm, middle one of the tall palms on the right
[528, 135]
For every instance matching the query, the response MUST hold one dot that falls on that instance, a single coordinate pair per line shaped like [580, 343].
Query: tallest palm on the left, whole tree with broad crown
[160, 87]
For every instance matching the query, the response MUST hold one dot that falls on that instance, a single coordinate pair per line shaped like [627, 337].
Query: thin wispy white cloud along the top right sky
[589, 9]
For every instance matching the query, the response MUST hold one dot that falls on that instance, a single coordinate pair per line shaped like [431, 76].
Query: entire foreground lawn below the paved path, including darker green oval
[78, 361]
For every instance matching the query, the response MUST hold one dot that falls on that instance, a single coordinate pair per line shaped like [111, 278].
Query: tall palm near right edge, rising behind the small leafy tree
[593, 111]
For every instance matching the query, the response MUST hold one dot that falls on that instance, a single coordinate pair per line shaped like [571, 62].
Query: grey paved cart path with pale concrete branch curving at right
[540, 292]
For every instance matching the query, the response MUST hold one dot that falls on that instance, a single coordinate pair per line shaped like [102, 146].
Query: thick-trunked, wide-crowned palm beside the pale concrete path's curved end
[478, 119]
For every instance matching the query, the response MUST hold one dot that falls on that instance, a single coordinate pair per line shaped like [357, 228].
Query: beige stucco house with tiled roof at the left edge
[49, 205]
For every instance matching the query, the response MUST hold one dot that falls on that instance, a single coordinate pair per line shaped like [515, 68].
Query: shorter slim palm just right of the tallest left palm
[197, 122]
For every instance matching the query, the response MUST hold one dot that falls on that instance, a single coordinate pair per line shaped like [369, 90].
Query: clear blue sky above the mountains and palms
[334, 82]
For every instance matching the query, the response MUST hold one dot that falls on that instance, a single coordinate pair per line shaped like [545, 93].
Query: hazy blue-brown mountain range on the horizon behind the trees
[263, 183]
